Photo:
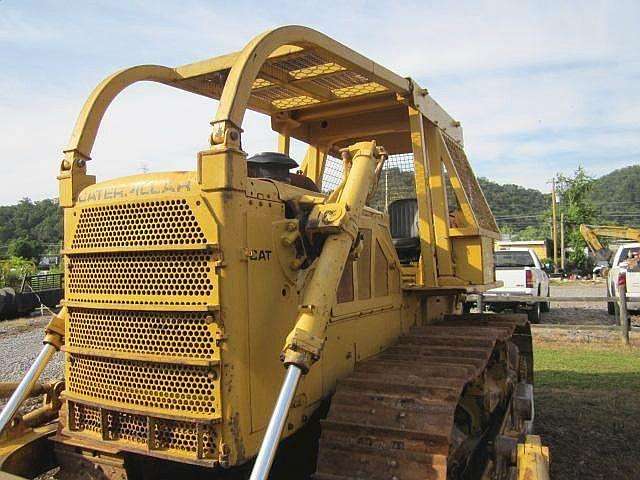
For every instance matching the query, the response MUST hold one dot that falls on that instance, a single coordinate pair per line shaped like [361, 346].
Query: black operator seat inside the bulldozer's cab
[403, 220]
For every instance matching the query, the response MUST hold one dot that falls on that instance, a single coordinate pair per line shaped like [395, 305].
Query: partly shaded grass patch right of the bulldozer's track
[587, 409]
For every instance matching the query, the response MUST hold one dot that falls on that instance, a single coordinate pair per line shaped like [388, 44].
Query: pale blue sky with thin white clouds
[540, 87]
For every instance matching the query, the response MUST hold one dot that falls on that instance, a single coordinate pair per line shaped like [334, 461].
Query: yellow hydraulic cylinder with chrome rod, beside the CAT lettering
[338, 218]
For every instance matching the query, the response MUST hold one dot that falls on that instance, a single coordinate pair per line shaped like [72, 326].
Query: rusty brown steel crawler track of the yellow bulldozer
[393, 417]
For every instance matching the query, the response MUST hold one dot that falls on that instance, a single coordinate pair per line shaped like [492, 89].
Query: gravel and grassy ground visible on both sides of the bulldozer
[582, 411]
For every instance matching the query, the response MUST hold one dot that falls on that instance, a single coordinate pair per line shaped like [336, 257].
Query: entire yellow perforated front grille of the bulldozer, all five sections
[142, 364]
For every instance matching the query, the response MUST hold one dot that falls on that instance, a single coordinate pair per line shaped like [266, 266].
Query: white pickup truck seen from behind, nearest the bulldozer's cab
[522, 274]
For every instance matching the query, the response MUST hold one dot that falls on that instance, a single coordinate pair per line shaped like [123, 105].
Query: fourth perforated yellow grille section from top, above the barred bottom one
[177, 389]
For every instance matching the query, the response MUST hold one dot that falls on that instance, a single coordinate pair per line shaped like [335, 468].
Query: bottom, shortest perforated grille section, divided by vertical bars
[184, 438]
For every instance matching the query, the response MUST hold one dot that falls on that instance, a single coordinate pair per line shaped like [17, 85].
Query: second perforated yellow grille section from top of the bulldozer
[113, 277]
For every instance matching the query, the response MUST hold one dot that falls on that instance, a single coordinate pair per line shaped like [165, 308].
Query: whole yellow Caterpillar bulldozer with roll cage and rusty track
[220, 319]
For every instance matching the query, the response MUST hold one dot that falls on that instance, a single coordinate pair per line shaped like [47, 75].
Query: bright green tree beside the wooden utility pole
[575, 202]
